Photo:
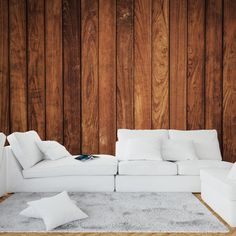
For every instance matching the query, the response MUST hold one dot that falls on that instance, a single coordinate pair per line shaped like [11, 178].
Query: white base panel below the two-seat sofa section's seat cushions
[157, 183]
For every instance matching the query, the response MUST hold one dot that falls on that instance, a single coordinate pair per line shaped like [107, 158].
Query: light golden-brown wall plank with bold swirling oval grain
[160, 64]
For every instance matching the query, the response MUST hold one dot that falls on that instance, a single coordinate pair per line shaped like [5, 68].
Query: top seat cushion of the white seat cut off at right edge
[217, 179]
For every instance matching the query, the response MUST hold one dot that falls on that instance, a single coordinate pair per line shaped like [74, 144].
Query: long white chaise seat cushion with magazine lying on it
[68, 166]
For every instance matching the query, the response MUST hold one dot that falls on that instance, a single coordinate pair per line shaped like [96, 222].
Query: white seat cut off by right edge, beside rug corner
[219, 193]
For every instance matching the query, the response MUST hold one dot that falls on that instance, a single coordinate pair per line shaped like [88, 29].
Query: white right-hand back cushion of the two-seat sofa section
[205, 141]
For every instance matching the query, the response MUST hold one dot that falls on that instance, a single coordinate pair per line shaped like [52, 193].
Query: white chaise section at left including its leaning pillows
[29, 169]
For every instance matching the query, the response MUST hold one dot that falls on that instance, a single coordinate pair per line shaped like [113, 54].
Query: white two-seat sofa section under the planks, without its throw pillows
[166, 176]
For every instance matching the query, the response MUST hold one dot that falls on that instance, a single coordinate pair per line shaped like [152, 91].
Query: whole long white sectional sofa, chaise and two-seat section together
[123, 173]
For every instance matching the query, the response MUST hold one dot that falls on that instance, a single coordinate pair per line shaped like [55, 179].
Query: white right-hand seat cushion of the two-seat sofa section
[193, 167]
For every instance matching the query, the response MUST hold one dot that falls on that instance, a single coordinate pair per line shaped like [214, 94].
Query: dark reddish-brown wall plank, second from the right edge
[213, 76]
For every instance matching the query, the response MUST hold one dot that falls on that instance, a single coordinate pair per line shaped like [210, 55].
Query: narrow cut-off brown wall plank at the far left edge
[4, 68]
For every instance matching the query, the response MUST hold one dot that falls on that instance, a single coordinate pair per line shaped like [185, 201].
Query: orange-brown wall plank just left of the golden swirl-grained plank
[142, 64]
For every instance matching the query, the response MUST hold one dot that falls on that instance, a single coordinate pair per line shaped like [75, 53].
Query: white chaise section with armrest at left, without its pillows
[63, 174]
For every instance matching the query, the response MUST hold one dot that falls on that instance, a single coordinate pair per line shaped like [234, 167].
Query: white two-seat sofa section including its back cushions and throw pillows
[137, 172]
